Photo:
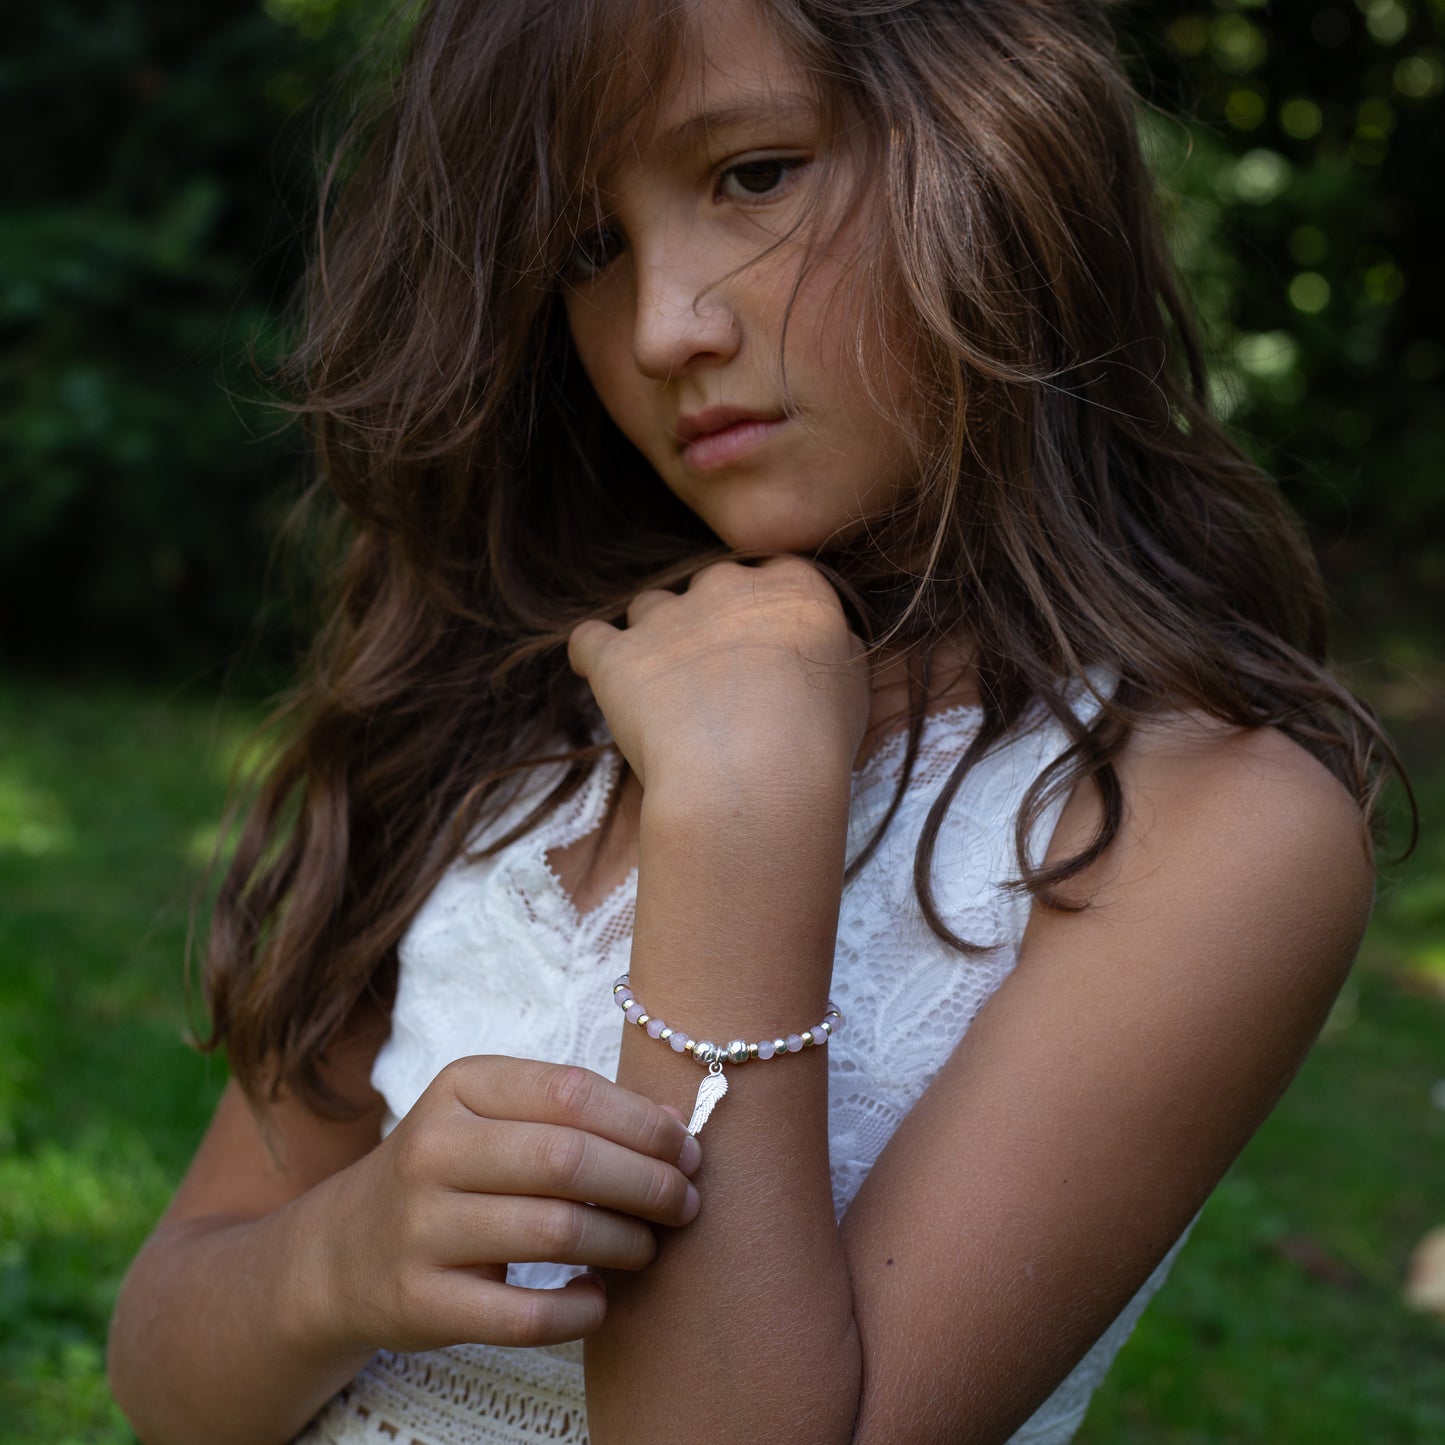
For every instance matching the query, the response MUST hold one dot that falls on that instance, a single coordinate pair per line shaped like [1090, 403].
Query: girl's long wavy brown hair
[1077, 504]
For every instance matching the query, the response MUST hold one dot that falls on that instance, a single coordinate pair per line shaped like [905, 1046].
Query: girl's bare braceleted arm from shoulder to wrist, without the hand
[1057, 1157]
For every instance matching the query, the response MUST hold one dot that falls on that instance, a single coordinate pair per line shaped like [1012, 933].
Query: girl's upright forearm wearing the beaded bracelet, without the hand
[735, 937]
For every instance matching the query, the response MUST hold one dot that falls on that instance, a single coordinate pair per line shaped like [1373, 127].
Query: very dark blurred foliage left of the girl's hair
[148, 248]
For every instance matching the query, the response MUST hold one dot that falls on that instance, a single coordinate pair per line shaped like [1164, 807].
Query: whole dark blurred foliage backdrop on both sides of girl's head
[165, 176]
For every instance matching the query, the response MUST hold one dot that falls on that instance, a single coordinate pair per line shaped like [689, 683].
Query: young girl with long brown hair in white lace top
[791, 564]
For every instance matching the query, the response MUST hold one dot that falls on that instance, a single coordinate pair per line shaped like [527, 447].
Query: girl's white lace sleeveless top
[499, 962]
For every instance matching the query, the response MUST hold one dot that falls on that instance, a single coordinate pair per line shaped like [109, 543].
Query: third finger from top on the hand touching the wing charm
[485, 1229]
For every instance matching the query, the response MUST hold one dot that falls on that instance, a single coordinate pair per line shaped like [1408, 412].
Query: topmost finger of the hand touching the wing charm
[499, 1087]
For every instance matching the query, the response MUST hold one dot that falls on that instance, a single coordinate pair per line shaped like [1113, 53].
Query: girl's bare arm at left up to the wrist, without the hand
[216, 1333]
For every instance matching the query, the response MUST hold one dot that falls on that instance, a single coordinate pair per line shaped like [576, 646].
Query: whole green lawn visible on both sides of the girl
[1282, 1323]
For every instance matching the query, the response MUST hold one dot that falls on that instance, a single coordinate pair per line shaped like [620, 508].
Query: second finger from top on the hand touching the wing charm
[506, 1157]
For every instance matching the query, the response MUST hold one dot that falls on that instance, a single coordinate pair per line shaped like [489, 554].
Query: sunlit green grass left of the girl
[106, 800]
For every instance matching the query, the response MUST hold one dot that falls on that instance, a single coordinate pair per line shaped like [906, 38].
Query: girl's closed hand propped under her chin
[752, 668]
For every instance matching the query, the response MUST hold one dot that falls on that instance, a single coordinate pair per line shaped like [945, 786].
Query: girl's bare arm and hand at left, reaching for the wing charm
[277, 1275]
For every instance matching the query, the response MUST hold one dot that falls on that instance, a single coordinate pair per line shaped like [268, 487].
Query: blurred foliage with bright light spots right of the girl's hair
[1297, 145]
